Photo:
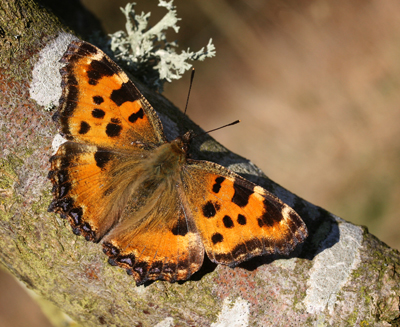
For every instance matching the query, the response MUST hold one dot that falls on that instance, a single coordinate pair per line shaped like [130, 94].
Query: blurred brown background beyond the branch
[316, 86]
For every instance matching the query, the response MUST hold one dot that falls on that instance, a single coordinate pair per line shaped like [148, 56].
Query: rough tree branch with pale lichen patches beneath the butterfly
[341, 276]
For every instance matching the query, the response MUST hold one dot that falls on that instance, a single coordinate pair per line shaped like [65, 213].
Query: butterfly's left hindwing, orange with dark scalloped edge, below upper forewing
[83, 189]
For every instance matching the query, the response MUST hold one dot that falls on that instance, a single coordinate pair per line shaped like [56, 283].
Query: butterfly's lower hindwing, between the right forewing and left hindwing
[155, 238]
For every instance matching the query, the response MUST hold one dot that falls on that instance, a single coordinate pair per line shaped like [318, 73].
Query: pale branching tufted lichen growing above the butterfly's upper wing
[146, 51]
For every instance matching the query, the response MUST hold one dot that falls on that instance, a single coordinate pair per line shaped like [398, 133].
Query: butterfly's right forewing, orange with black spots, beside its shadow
[237, 219]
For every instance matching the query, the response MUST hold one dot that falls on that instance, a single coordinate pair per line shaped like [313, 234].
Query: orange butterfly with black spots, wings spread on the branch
[156, 211]
